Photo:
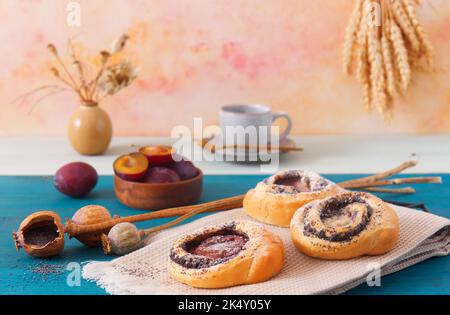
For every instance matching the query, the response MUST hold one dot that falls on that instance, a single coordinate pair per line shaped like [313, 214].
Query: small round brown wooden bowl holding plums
[161, 187]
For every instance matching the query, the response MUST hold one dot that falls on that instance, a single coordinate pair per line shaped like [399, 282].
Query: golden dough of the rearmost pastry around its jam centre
[275, 204]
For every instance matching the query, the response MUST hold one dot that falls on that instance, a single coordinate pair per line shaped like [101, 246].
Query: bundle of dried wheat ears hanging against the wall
[385, 56]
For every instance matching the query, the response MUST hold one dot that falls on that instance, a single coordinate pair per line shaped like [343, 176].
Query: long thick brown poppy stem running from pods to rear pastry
[74, 229]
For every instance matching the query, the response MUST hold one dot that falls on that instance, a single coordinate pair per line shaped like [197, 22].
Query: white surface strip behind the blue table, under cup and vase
[323, 154]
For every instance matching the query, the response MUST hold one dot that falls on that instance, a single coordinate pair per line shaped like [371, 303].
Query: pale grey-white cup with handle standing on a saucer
[250, 124]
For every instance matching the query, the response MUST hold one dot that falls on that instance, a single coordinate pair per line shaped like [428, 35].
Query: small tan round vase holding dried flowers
[89, 127]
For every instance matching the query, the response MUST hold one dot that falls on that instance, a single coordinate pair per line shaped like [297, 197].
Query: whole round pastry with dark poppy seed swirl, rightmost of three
[345, 226]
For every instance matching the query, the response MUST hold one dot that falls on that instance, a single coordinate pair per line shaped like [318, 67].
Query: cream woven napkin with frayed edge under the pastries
[422, 236]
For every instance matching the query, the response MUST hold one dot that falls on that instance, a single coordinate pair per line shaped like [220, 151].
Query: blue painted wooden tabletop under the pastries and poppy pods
[20, 196]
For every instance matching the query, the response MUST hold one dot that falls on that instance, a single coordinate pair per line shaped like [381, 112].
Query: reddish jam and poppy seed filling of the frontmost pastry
[211, 248]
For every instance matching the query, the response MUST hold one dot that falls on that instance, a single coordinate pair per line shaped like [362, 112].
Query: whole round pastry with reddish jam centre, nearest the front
[234, 253]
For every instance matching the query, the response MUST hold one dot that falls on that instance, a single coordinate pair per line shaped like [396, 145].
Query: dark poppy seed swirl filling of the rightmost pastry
[342, 219]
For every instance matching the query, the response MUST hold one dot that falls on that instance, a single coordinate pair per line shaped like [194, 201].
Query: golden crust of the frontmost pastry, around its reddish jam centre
[261, 258]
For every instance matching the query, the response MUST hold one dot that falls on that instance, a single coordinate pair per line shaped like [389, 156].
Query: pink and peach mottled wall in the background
[197, 55]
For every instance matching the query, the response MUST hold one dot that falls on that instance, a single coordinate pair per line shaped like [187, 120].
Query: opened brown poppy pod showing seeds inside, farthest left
[41, 234]
